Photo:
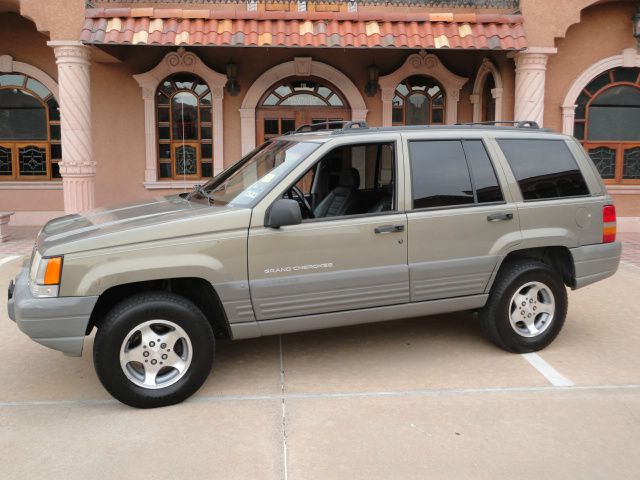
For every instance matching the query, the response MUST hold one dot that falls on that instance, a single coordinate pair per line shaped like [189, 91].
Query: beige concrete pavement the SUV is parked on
[414, 399]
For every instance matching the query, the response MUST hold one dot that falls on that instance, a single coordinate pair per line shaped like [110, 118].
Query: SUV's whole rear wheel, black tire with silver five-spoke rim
[527, 307]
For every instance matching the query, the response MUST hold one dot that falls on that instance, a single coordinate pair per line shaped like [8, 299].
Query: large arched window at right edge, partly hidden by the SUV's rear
[607, 122]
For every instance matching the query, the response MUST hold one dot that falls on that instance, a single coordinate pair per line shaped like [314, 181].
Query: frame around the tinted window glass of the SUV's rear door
[475, 203]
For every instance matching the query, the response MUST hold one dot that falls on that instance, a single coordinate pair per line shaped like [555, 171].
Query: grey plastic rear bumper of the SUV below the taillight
[595, 262]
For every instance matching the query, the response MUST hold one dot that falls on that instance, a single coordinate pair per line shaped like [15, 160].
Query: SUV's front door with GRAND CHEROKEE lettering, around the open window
[329, 264]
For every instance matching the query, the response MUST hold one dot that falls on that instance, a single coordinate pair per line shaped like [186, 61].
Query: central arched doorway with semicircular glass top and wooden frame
[295, 102]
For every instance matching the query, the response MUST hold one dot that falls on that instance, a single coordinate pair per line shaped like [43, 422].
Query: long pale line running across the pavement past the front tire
[341, 395]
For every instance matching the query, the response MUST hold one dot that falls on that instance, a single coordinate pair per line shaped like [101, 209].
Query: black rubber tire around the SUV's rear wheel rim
[495, 316]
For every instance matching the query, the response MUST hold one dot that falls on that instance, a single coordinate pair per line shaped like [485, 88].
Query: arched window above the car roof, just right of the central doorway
[418, 100]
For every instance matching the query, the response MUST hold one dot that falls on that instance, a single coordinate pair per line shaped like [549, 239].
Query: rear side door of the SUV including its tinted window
[460, 220]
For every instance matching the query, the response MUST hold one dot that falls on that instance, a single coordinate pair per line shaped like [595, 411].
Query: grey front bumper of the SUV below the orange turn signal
[59, 323]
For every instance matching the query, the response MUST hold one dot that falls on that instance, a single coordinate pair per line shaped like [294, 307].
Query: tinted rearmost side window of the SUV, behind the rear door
[544, 168]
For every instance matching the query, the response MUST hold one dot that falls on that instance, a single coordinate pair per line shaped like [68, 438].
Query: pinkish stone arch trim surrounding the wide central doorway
[300, 66]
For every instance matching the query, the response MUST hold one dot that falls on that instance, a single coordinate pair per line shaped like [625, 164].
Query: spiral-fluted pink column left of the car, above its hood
[77, 167]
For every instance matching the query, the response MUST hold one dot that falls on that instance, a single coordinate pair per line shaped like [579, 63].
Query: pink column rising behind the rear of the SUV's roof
[531, 68]
